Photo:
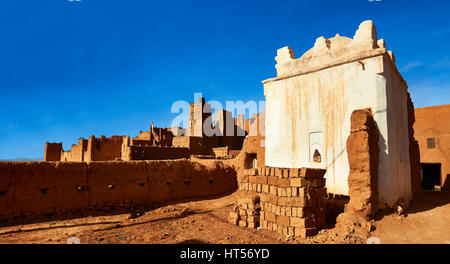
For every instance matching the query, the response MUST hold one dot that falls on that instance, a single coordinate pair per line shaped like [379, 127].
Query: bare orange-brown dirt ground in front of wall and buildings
[205, 221]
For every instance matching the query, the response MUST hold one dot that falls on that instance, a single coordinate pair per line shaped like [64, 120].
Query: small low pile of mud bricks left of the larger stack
[246, 213]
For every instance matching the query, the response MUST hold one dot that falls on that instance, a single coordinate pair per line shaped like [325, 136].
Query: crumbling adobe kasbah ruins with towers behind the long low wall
[225, 141]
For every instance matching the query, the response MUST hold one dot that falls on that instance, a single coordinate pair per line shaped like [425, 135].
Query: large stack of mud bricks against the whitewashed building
[292, 201]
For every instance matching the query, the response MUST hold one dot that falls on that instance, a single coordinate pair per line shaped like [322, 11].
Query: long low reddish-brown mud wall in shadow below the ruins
[36, 188]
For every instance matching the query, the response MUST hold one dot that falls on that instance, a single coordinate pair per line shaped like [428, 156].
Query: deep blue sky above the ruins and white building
[106, 67]
